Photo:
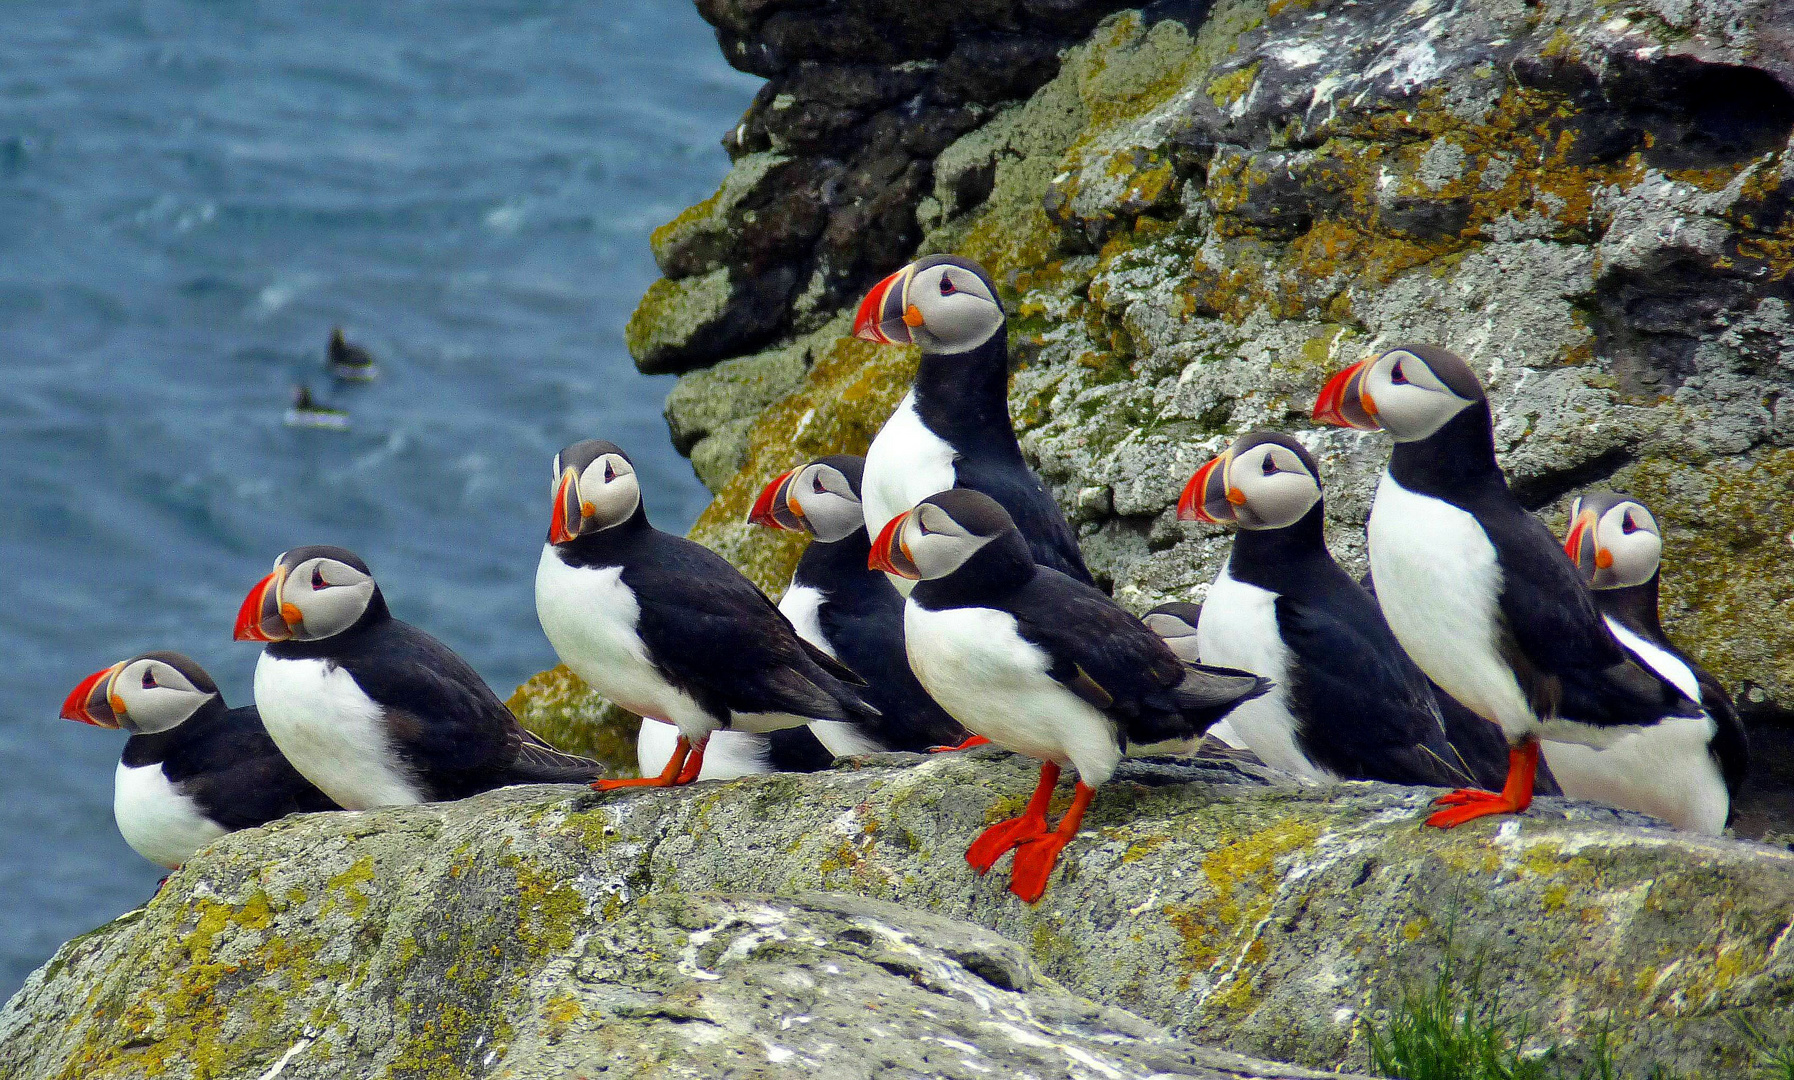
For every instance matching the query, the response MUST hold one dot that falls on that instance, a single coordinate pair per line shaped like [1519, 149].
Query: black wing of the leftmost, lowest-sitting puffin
[236, 774]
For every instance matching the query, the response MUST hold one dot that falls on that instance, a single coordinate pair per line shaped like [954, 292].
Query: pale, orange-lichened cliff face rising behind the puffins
[1208, 209]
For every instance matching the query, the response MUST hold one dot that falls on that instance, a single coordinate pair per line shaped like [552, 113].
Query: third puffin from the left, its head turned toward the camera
[666, 629]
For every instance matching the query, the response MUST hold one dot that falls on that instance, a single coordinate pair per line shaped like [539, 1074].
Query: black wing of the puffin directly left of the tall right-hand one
[1370, 711]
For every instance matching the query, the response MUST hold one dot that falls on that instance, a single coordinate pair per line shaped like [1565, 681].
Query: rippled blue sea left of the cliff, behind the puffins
[191, 195]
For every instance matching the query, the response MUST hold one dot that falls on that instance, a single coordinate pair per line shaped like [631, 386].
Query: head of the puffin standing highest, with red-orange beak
[945, 304]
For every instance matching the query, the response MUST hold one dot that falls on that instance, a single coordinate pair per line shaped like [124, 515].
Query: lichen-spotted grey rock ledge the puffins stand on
[546, 932]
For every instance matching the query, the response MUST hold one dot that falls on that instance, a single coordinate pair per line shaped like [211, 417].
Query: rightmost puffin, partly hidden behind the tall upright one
[1685, 772]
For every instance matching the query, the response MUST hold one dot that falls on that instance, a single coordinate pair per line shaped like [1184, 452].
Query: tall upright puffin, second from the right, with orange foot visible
[1477, 591]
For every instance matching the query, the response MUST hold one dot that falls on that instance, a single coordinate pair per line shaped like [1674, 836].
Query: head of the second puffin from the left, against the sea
[313, 593]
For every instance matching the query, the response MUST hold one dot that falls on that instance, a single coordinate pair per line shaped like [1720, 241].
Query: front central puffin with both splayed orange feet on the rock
[1041, 665]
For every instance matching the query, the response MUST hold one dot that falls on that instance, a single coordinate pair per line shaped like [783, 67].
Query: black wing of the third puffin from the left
[718, 638]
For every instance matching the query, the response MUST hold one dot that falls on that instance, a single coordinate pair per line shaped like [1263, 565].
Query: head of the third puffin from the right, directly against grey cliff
[1264, 482]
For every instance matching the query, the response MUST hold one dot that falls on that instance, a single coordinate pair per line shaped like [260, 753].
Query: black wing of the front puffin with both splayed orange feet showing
[1110, 659]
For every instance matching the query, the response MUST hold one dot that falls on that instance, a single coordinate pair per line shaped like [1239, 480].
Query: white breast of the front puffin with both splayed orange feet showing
[986, 675]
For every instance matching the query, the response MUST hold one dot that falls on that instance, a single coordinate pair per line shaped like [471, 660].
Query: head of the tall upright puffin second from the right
[1411, 392]
